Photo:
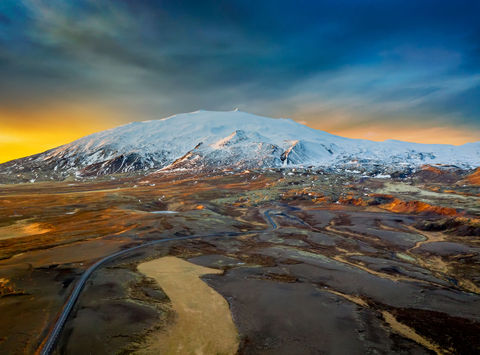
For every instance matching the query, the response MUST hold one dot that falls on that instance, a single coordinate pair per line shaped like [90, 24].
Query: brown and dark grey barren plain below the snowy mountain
[346, 265]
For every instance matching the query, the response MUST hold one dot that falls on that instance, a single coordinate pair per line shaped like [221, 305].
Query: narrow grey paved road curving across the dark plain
[48, 346]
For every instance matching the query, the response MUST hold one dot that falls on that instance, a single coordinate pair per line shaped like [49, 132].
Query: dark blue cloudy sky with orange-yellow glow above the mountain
[384, 69]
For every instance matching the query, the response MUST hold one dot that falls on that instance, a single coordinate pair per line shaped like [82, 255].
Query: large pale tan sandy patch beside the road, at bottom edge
[203, 324]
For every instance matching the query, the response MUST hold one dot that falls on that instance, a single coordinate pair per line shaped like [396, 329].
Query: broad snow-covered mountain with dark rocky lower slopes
[234, 140]
